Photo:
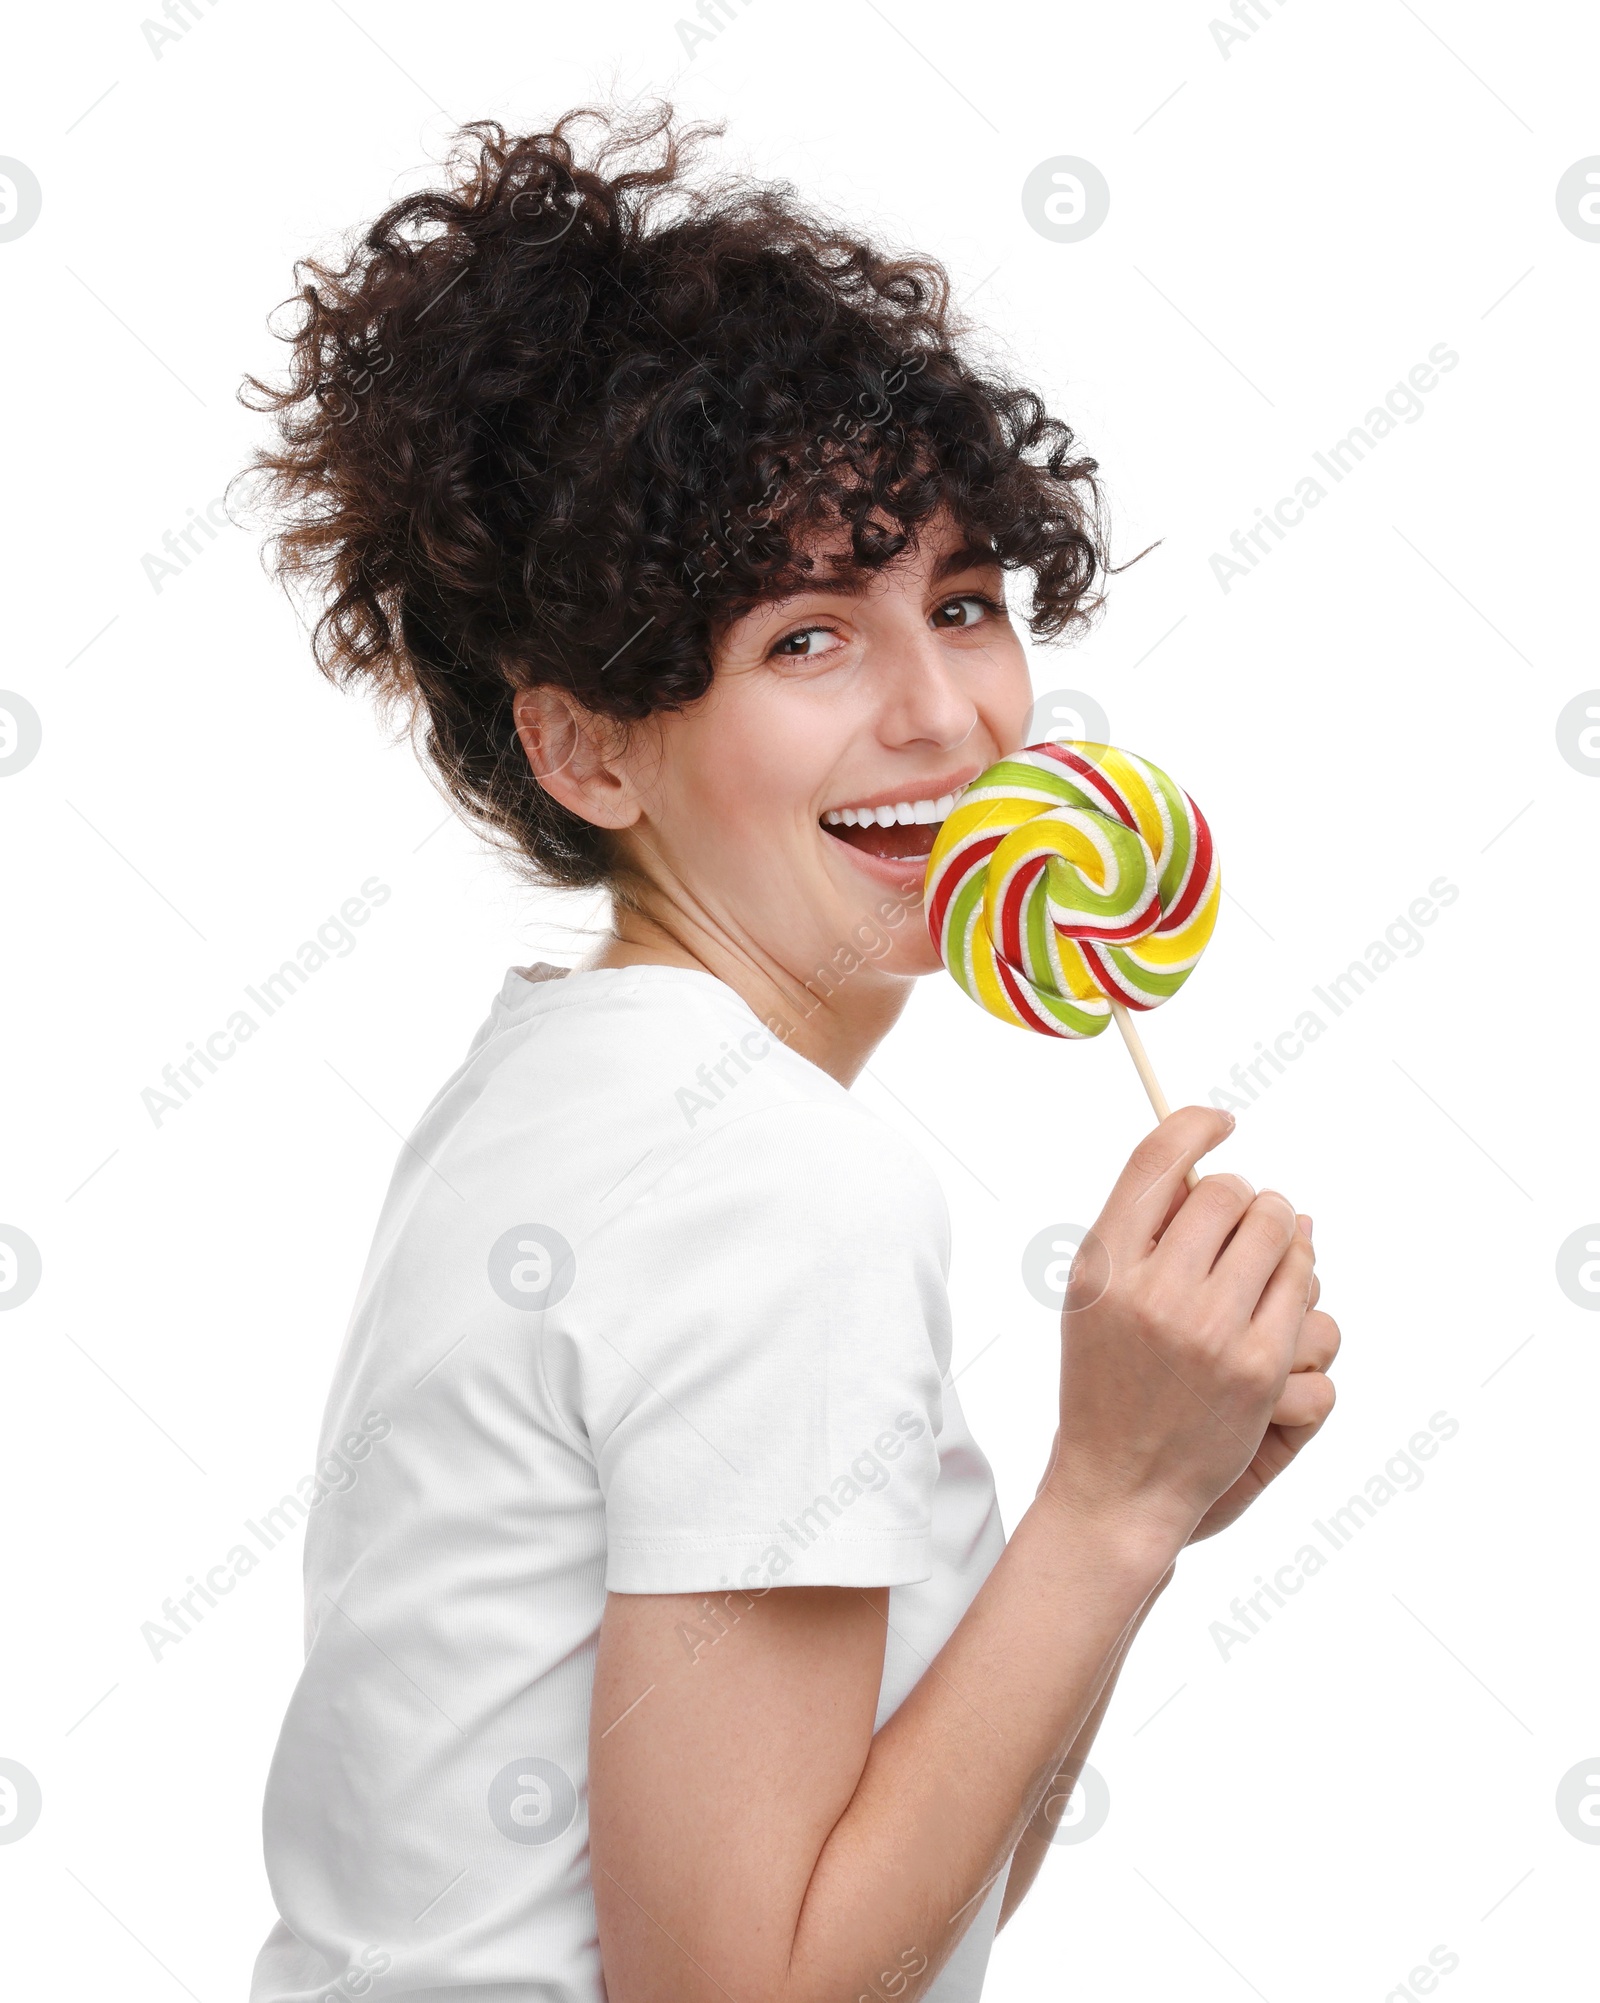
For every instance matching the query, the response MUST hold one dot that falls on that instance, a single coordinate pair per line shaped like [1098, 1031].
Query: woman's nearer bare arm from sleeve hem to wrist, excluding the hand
[752, 1838]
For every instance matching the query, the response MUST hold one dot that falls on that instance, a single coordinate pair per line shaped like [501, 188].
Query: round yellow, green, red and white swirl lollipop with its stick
[1070, 884]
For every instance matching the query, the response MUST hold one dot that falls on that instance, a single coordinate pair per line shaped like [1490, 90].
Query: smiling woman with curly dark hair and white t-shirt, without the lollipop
[668, 1645]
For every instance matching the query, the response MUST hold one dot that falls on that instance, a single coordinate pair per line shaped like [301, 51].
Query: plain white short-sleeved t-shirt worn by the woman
[654, 1307]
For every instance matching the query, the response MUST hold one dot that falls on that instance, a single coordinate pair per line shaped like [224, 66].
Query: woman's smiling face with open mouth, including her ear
[796, 804]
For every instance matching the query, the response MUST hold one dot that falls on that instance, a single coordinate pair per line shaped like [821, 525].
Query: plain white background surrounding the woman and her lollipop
[1293, 227]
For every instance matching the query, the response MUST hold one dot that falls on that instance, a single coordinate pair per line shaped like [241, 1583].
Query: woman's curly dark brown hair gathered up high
[562, 424]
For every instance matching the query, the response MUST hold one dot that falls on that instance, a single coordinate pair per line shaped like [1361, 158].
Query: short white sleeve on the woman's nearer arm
[762, 1357]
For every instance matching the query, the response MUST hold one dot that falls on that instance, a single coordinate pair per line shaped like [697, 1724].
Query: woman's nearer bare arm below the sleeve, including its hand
[750, 1834]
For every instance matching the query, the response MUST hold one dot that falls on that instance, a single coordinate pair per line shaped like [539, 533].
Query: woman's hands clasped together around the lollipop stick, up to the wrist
[1192, 1361]
